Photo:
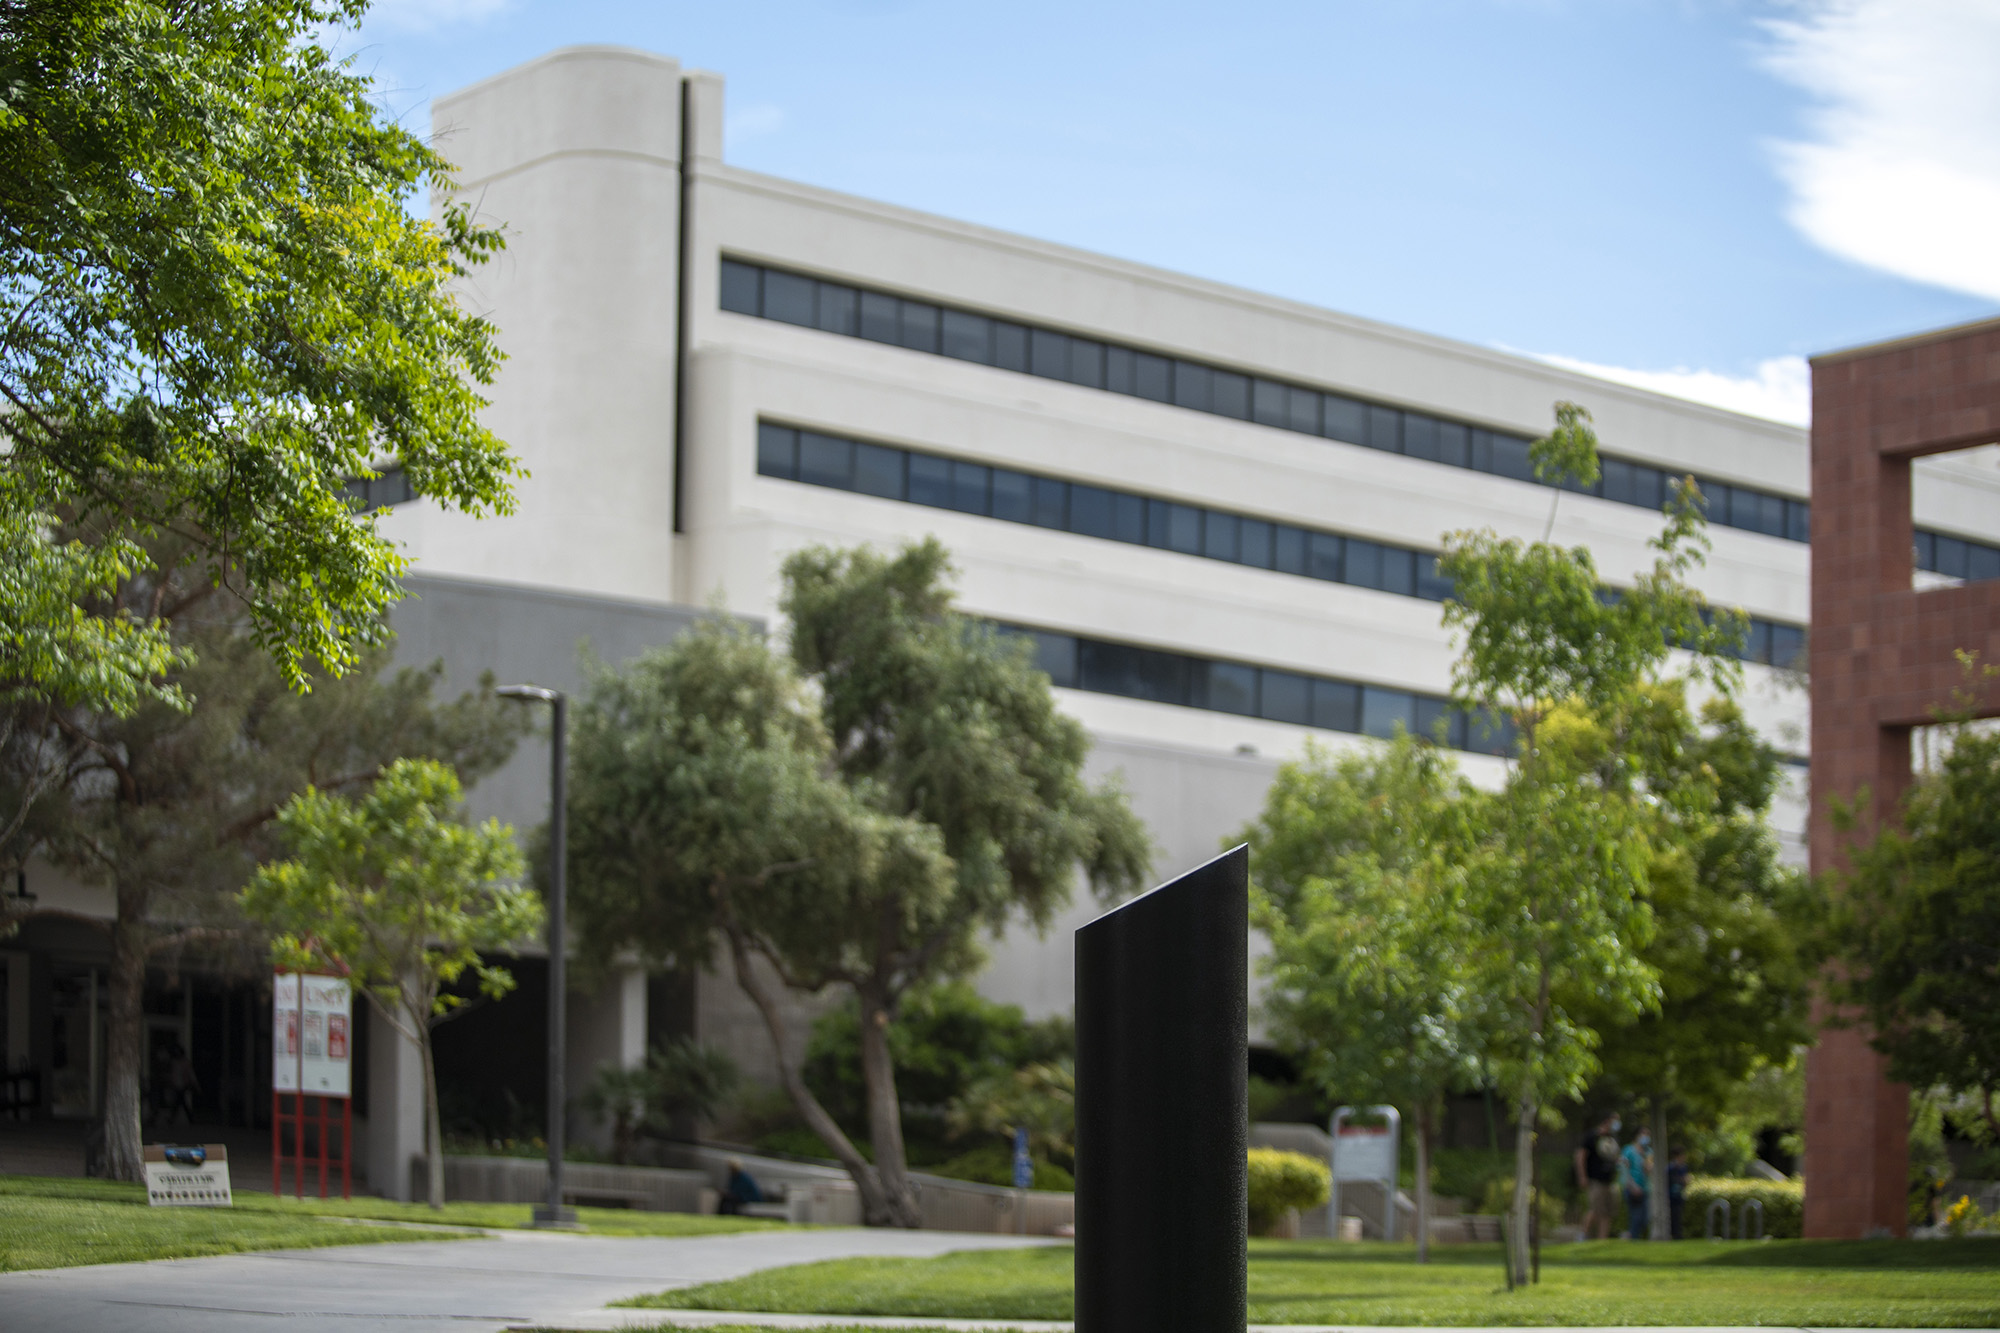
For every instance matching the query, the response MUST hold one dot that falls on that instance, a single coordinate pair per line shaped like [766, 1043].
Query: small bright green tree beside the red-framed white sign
[405, 898]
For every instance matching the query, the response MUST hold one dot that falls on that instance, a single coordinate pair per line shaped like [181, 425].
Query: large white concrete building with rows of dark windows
[1217, 507]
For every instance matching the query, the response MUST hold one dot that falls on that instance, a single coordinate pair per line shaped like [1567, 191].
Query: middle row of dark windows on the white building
[835, 461]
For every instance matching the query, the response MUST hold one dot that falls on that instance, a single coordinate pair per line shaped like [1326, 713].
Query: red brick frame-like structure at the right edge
[1883, 659]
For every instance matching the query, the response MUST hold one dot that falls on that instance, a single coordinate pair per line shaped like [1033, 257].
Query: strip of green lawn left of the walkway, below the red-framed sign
[57, 1224]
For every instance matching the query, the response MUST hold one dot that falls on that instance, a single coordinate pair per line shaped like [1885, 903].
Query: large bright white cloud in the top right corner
[1903, 163]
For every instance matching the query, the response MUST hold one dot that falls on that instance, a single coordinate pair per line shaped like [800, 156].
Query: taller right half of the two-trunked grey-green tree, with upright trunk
[945, 722]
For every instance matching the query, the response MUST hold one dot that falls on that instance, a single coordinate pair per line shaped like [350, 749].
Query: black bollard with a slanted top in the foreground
[1161, 1108]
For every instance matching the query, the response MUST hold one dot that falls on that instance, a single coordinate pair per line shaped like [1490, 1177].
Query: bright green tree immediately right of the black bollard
[1357, 888]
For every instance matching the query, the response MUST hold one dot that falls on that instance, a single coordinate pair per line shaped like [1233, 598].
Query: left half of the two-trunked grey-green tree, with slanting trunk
[703, 808]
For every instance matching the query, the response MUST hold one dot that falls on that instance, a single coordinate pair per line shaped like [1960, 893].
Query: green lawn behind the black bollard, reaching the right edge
[1857, 1284]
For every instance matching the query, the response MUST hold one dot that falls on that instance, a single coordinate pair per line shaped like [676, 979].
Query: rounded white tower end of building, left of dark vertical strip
[577, 155]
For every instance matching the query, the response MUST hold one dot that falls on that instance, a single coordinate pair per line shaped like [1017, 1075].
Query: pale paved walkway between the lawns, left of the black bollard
[513, 1280]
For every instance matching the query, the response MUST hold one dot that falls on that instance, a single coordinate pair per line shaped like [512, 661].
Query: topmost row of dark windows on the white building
[1049, 353]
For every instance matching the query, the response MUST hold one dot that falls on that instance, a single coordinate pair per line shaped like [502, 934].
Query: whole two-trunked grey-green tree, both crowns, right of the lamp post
[861, 834]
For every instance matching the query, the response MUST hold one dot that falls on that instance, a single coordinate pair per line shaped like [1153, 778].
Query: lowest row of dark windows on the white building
[1259, 692]
